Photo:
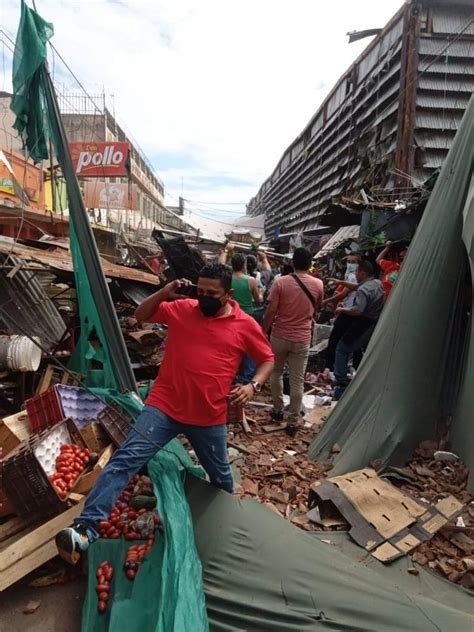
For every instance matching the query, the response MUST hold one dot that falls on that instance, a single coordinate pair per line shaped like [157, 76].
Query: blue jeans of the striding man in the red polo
[209, 444]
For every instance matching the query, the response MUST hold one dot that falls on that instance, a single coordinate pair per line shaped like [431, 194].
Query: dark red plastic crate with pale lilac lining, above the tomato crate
[61, 401]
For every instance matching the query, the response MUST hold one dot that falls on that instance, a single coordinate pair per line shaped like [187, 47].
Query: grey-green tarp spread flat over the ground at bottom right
[261, 573]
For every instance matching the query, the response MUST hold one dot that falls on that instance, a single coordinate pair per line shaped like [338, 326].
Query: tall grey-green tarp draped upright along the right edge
[422, 350]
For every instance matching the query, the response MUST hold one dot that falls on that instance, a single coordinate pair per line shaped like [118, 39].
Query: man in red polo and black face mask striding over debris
[207, 340]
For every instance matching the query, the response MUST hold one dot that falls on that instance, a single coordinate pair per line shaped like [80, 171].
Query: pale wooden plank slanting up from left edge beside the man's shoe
[21, 549]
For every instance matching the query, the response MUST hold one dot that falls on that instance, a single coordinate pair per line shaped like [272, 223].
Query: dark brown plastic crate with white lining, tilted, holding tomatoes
[26, 470]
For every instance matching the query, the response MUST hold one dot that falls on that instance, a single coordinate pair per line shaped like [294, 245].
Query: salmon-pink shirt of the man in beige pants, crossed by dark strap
[294, 317]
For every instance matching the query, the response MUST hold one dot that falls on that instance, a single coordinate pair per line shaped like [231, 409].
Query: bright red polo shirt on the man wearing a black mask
[201, 359]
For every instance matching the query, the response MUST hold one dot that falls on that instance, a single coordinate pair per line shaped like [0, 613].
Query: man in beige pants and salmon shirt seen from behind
[294, 301]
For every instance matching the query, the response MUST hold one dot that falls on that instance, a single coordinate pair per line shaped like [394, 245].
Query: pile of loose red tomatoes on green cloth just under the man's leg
[123, 518]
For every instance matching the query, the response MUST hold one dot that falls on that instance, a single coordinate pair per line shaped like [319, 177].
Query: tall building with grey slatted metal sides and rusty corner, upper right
[386, 126]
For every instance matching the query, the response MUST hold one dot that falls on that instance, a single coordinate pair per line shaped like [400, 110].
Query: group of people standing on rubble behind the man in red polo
[287, 300]
